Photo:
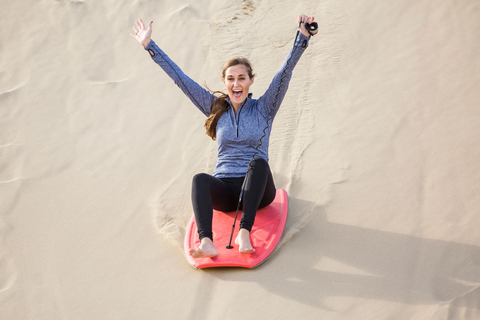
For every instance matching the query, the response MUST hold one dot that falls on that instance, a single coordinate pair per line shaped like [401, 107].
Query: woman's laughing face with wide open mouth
[237, 82]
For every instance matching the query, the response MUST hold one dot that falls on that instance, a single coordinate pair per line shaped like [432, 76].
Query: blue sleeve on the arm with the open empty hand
[200, 97]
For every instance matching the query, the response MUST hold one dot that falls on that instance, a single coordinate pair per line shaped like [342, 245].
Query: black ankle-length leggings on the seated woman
[222, 194]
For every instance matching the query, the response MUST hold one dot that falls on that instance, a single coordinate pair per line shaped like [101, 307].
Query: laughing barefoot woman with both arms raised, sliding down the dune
[239, 124]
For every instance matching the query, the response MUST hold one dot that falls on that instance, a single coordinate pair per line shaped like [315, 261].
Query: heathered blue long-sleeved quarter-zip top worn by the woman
[238, 135]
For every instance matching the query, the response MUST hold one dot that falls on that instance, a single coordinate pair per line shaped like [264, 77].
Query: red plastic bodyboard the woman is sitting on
[265, 236]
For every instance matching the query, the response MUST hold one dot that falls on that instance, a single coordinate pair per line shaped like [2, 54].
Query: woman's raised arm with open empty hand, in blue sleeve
[200, 97]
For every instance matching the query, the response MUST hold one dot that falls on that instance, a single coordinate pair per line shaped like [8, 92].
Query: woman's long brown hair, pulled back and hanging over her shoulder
[220, 105]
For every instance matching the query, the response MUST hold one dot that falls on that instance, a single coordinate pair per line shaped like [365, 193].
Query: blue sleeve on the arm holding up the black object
[273, 97]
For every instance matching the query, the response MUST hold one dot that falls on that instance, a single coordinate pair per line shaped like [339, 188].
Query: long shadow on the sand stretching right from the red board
[373, 265]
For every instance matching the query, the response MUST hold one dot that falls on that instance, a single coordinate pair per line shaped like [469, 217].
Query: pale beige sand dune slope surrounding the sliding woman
[376, 143]
